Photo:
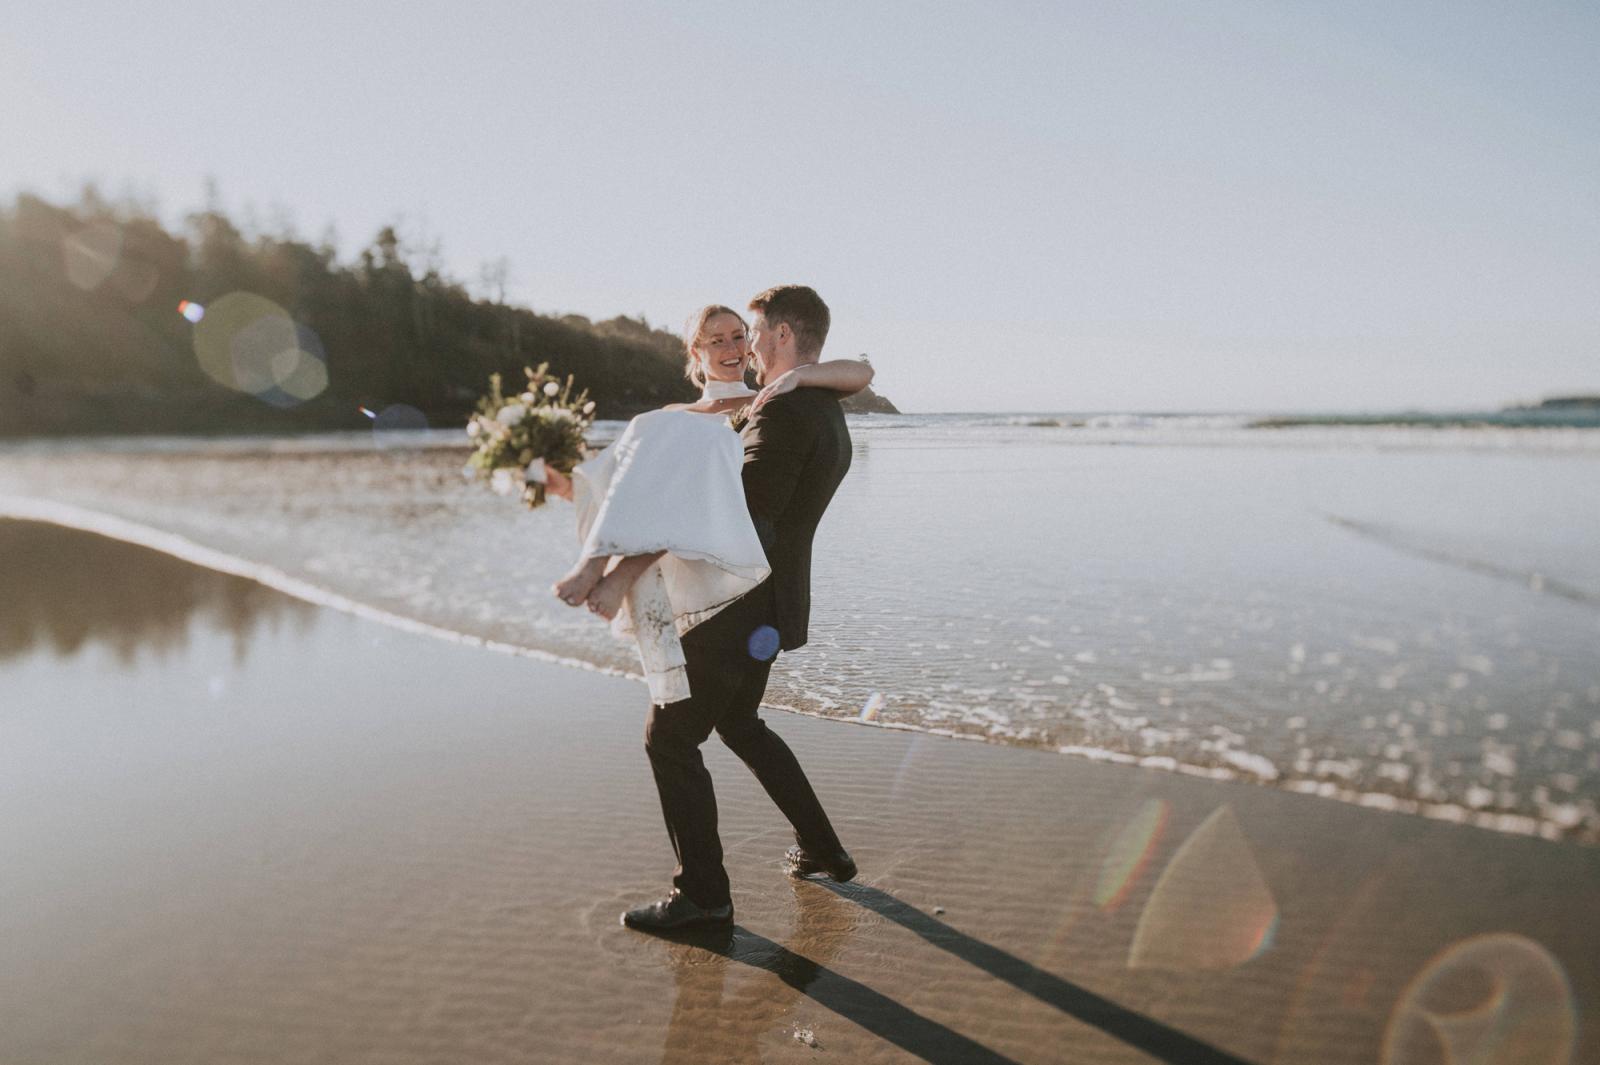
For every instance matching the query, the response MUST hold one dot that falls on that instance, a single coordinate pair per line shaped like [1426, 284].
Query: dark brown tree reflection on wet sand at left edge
[66, 591]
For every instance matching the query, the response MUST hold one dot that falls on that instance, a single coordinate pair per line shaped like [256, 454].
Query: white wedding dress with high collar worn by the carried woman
[673, 482]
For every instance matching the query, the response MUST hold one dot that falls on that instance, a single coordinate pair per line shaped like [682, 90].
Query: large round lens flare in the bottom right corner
[1492, 1000]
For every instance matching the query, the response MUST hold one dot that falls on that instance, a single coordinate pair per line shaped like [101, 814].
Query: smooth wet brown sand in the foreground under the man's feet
[295, 836]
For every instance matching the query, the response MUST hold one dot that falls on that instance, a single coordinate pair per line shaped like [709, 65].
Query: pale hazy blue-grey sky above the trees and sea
[1010, 207]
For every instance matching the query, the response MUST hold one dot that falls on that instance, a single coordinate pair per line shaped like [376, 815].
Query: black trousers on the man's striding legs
[727, 684]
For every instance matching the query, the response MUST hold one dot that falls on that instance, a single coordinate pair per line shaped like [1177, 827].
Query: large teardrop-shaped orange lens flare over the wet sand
[1212, 907]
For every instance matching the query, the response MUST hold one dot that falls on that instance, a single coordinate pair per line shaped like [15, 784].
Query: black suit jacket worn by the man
[796, 453]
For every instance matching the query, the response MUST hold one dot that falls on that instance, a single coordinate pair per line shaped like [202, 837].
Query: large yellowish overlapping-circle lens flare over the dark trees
[250, 345]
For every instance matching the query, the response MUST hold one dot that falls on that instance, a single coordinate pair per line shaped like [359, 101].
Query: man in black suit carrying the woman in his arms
[796, 453]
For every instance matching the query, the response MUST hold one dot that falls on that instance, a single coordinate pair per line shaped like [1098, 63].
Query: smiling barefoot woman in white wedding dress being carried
[666, 536]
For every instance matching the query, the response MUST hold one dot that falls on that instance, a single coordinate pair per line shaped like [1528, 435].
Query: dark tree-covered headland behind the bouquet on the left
[111, 324]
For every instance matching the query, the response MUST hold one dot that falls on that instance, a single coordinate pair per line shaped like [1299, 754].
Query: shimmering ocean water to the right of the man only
[1401, 618]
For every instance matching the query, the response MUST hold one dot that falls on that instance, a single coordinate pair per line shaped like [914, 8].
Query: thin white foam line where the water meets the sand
[127, 532]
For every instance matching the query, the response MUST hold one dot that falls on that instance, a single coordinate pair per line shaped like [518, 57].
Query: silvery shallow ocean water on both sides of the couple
[1406, 618]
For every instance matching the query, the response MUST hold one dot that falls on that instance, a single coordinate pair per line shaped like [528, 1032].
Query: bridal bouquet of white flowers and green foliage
[518, 439]
